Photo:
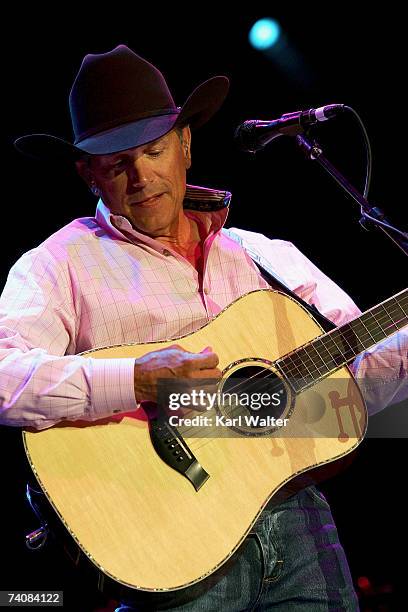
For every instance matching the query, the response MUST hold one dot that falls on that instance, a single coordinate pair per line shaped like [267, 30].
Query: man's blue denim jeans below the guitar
[291, 561]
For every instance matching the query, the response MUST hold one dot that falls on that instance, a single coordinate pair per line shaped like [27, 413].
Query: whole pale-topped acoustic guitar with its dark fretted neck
[158, 498]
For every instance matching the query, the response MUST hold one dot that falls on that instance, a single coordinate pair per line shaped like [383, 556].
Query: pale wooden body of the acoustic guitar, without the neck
[144, 524]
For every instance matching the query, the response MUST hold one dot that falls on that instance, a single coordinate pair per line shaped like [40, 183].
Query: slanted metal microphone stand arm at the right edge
[373, 214]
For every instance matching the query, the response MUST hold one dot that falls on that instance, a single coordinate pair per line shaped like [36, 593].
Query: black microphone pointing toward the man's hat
[253, 135]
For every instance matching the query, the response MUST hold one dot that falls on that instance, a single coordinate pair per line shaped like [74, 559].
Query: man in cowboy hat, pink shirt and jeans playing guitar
[155, 264]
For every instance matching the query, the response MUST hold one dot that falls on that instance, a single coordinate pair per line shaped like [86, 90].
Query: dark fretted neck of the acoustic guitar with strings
[327, 353]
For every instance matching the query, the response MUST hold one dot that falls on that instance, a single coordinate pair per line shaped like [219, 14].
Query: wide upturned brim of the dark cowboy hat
[201, 105]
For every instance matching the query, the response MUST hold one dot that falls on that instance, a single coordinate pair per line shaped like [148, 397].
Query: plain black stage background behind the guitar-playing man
[340, 57]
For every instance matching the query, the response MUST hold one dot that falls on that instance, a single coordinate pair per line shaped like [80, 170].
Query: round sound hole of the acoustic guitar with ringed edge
[254, 398]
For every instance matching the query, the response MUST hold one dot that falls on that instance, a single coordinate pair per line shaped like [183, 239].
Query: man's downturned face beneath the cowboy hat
[145, 184]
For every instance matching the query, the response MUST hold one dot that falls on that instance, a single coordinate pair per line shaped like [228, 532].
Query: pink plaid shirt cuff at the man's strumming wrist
[112, 387]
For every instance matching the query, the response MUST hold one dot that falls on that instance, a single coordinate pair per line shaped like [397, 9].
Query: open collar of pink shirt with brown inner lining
[209, 205]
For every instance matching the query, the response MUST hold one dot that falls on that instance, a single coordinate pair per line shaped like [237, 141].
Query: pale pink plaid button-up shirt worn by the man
[98, 282]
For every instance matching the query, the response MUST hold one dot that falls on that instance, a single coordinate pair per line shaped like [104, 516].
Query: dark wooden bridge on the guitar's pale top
[173, 450]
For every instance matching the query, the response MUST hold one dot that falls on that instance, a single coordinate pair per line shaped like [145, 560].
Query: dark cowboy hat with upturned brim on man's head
[119, 101]
